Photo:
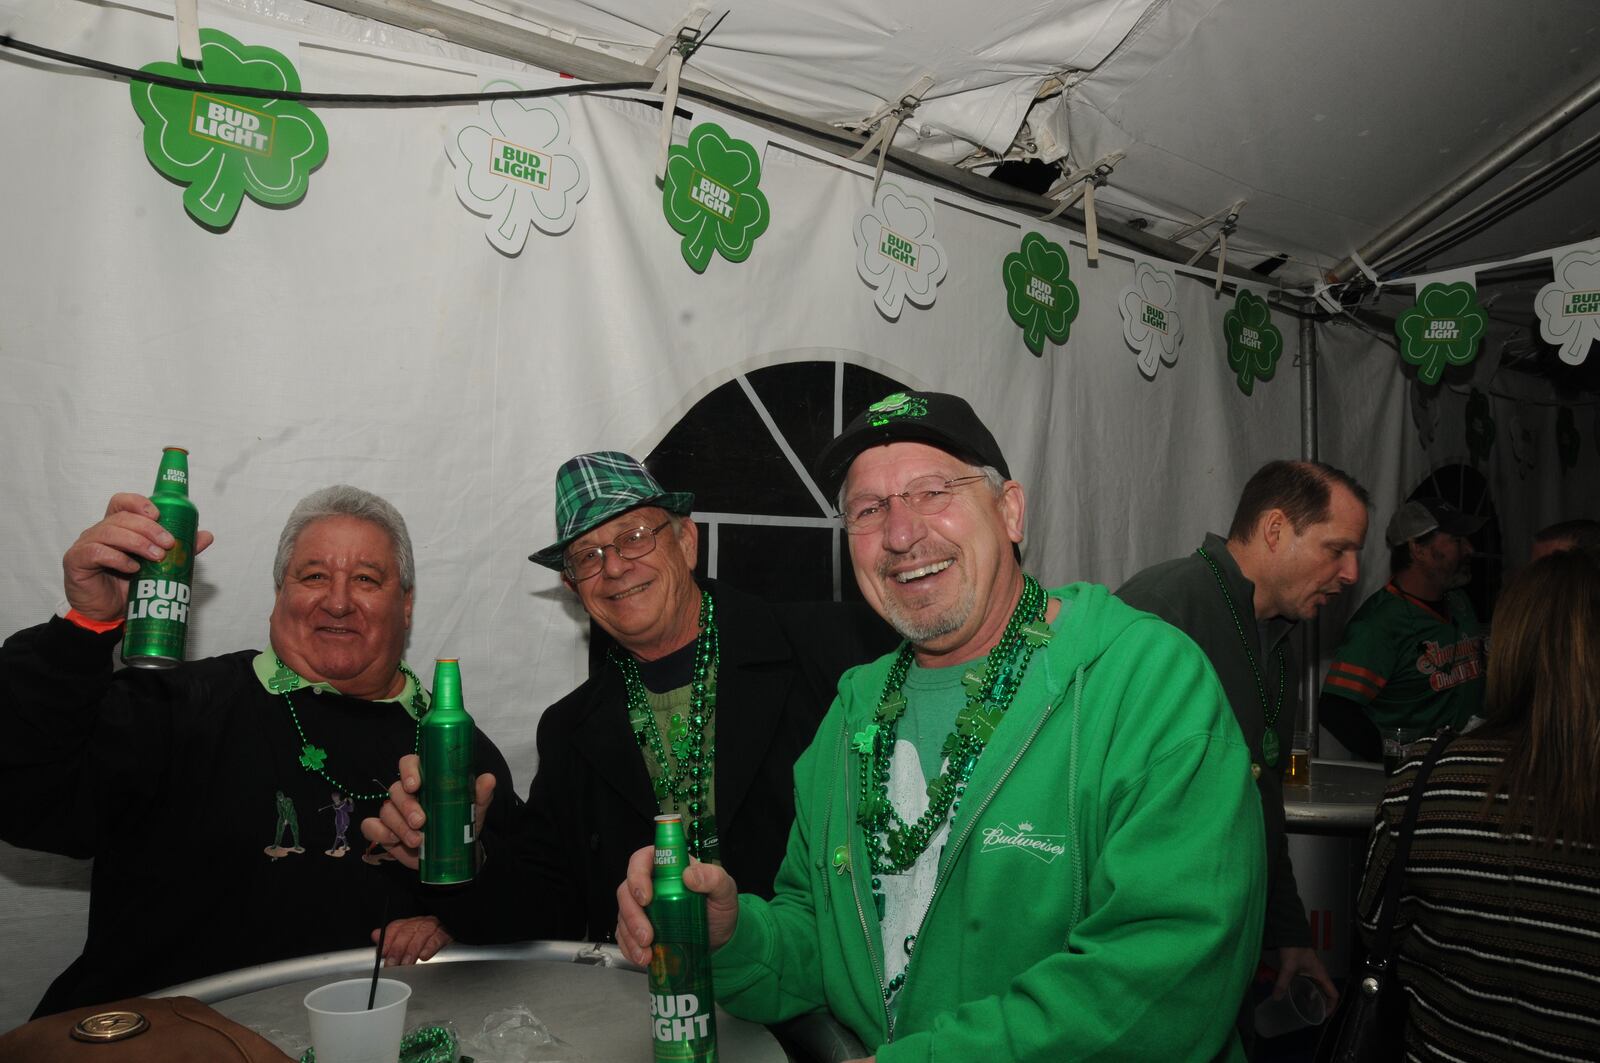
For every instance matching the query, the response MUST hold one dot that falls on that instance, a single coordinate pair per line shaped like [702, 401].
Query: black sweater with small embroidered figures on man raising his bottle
[170, 782]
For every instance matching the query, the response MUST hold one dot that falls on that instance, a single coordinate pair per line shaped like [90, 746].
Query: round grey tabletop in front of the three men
[599, 1013]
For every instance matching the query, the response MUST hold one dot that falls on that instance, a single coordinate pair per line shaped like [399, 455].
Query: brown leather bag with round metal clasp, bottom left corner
[180, 1030]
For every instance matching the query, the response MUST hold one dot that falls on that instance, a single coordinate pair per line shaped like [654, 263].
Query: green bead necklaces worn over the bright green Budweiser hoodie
[894, 844]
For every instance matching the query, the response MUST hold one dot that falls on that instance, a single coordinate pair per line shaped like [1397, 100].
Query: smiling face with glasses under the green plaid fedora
[649, 604]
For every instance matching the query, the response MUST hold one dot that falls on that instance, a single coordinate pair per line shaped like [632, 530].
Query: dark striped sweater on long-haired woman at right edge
[1500, 939]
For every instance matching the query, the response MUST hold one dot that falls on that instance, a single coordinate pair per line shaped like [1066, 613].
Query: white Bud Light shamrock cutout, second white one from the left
[897, 252]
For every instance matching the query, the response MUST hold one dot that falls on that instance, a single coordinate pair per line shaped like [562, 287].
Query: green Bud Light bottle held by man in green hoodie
[682, 997]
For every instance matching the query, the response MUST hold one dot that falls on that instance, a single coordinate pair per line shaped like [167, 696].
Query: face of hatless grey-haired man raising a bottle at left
[342, 616]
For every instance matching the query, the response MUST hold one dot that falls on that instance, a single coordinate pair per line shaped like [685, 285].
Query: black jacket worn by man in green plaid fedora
[591, 804]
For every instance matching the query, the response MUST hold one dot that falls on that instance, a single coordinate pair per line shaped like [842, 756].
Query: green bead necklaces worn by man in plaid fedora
[684, 780]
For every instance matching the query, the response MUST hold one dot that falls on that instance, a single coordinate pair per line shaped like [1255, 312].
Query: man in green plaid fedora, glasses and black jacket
[703, 700]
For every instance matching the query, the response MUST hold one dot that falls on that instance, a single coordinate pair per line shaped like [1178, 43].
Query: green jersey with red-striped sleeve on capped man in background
[1412, 664]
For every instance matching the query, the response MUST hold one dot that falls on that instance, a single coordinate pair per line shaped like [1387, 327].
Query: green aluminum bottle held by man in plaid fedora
[450, 851]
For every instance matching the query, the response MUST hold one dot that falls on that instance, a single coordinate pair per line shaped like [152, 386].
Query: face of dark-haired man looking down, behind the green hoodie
[1313, 566]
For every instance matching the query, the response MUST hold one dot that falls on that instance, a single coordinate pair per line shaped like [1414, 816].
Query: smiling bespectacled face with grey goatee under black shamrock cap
[948, 582]
